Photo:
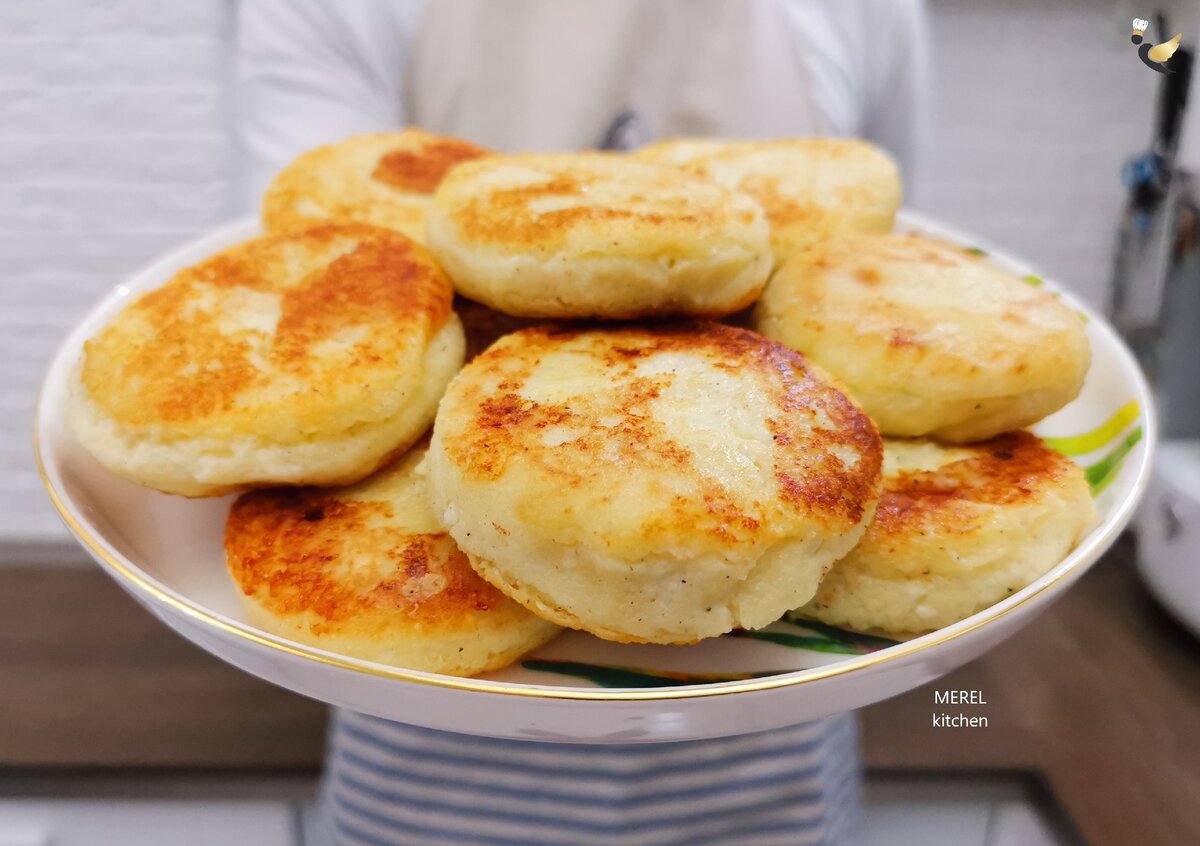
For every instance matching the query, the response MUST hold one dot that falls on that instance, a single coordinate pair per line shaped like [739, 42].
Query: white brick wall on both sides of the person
[113, 149]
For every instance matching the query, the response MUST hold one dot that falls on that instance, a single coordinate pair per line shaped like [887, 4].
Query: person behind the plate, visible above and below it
[530, 75]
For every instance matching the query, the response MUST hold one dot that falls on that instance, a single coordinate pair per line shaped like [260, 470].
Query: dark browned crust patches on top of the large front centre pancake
[811, 478]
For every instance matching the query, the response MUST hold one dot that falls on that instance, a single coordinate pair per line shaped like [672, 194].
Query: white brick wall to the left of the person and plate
[113, 149]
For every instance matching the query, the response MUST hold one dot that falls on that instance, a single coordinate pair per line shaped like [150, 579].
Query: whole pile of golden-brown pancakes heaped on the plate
[645, 482]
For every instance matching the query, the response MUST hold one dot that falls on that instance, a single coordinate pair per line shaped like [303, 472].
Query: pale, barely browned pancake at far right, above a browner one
[931, 339]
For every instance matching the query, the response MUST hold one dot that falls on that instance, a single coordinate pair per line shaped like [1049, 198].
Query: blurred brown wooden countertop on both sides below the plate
[1100, 698]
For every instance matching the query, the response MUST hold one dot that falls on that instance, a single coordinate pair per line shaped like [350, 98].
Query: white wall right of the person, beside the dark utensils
[1036, 106]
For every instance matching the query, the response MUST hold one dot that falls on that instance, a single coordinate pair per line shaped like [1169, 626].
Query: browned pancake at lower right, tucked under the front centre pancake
[958, 530]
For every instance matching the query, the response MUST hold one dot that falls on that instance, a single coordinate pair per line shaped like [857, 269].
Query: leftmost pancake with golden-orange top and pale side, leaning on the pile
[303, 359]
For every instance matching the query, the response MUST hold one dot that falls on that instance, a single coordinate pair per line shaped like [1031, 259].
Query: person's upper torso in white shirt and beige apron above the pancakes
[565, 75]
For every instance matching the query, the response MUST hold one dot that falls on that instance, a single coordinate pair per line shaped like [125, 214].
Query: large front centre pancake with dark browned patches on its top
[652, 484]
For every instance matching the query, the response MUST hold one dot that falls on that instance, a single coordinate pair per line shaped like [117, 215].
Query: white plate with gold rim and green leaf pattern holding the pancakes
[167, 553]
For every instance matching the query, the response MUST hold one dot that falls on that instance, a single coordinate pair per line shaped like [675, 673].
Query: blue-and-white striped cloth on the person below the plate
[389, 784]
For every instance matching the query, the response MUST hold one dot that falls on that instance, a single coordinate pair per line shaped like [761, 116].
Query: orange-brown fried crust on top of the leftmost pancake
[387, 284]
